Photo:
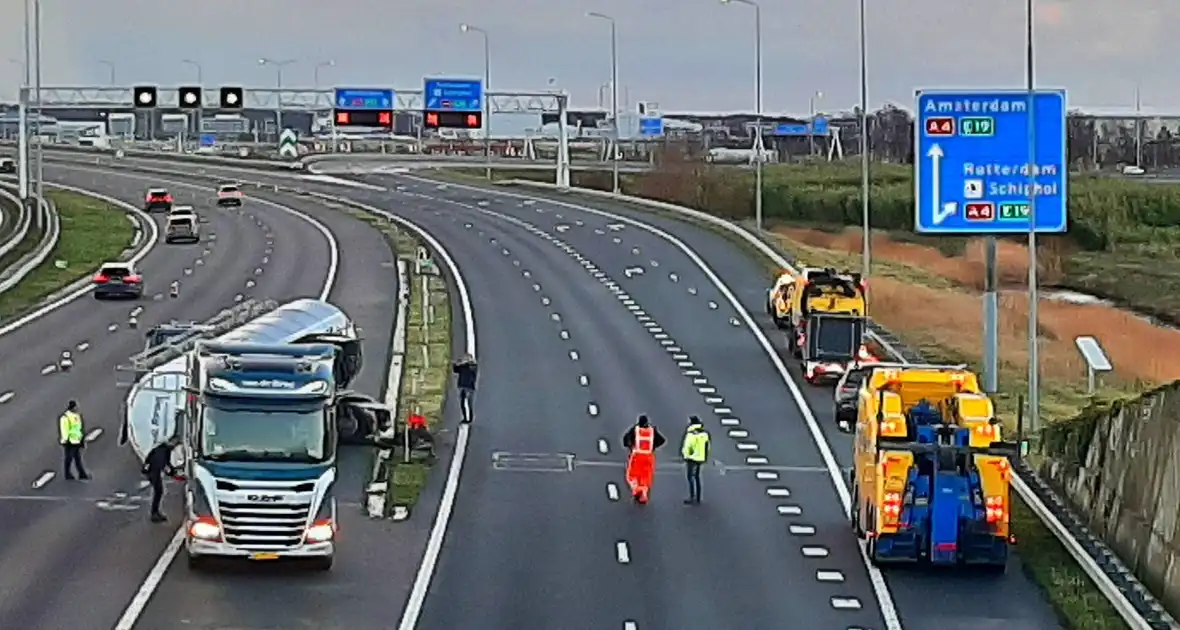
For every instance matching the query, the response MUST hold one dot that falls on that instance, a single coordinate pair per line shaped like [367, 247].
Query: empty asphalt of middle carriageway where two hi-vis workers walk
[573, 350]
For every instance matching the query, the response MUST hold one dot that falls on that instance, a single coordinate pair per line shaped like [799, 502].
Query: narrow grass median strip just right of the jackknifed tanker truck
[427, 371]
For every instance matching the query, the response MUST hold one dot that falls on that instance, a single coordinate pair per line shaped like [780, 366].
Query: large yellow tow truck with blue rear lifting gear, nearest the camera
[930, 481]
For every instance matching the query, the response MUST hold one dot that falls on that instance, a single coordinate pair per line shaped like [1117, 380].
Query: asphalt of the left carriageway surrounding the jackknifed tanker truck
[83, 550]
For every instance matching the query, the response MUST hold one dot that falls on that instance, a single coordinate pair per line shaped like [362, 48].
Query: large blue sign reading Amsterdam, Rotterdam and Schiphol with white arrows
[972, 165]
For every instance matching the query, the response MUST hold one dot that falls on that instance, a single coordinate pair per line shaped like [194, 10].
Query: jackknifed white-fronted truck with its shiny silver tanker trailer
[258, 398]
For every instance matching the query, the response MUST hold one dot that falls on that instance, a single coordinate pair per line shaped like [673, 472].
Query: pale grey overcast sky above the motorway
[686, 55]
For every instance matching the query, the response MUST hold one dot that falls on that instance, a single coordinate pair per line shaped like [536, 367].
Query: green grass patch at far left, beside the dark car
[93, 233]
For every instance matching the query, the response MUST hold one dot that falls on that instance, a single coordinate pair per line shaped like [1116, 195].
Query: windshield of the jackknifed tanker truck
[230, 434]
